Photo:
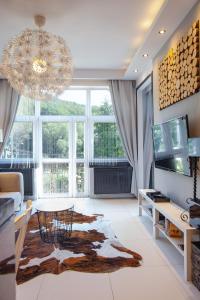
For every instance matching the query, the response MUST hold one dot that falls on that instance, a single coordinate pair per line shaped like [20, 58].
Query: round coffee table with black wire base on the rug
[55, 218]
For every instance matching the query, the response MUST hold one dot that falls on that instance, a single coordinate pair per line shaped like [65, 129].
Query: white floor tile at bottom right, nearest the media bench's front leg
[146, 283]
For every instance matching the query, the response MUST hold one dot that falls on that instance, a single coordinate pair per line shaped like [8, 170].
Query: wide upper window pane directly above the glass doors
[69, 103]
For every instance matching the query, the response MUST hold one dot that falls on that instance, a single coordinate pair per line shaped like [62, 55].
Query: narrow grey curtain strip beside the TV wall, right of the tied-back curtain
[147, 134]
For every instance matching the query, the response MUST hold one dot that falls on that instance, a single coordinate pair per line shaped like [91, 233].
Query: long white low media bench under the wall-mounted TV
[171, 212]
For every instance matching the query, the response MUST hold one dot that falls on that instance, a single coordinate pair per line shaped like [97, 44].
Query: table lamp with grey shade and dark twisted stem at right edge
[194, 154]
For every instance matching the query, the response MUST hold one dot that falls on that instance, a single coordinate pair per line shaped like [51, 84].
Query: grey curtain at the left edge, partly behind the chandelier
[9, 101]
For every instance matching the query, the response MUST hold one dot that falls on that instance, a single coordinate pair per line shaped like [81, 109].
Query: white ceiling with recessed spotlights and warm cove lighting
[107, 38]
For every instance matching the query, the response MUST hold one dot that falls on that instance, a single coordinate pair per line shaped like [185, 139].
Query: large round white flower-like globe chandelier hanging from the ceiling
[37, 64]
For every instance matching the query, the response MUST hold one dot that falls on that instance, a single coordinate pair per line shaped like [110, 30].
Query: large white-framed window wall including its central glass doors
[63, 136]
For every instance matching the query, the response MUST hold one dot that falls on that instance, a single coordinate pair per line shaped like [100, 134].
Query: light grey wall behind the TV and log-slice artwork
[178, 187]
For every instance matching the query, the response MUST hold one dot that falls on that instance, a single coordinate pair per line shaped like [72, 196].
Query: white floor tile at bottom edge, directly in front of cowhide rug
[76, 286]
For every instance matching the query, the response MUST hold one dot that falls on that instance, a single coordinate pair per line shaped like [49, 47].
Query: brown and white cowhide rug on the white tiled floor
[92, 247]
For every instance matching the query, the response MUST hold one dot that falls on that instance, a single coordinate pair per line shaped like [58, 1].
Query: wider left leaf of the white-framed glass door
[55, 162]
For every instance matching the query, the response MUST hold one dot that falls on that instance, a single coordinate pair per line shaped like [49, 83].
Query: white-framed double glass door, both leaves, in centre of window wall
[63, 164]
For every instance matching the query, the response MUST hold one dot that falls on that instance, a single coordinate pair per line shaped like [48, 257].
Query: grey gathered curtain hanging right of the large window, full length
[125, 108]
